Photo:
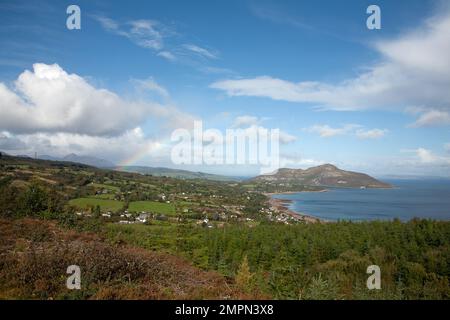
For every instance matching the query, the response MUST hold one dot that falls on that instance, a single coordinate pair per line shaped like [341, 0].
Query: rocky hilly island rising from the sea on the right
[324, 175]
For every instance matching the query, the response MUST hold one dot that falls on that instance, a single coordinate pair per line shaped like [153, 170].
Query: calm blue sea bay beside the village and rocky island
[408, 199]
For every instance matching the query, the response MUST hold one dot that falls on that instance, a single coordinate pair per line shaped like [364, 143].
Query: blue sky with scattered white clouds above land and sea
[368, 100]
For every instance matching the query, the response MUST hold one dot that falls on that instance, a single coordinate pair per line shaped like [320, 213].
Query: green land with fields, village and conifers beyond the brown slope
[303, 261]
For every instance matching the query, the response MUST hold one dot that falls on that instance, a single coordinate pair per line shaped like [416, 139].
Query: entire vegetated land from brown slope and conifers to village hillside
[52, 215]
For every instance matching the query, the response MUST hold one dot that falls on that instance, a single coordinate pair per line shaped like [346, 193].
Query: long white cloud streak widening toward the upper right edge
[414, 70]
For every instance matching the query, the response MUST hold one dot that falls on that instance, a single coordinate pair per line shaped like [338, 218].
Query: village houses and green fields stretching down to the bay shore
[208, 211]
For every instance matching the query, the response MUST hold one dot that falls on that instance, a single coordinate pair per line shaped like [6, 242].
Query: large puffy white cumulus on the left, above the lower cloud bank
[48, 99]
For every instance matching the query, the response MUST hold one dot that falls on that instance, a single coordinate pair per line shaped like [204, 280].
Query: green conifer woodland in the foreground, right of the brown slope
[315, 261]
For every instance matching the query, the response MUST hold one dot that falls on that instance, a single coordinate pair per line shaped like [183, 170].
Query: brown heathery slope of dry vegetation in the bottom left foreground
[35, 254]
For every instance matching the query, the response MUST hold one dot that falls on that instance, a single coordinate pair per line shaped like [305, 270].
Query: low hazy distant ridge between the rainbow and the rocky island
[176, 173]
